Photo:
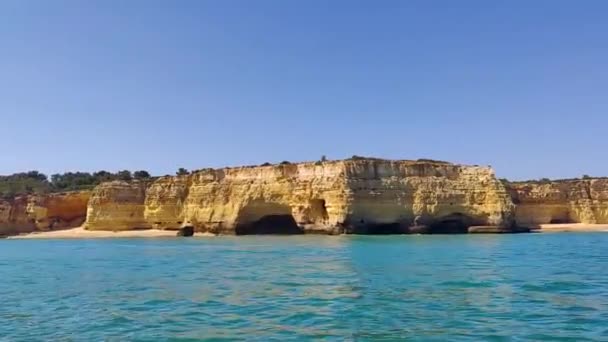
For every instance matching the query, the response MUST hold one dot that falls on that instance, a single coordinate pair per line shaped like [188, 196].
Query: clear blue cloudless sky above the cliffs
[157, 85]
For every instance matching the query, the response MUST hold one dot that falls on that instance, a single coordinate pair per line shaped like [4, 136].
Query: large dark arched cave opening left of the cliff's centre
[261, 217]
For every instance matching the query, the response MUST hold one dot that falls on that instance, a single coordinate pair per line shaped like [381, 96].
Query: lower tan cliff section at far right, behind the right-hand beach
[567, 201]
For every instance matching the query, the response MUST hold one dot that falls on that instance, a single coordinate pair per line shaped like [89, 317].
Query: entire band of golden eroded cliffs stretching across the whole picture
[362, 196]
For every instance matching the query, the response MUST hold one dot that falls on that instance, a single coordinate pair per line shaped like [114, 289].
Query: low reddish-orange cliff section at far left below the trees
[28, 213]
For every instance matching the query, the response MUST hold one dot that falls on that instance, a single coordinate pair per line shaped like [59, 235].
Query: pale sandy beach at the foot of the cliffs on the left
[81, 233]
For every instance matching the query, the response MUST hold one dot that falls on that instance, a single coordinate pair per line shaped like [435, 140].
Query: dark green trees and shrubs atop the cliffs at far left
[34, 182]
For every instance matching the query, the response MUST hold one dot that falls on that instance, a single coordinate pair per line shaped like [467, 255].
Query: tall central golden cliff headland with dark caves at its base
[367, 196]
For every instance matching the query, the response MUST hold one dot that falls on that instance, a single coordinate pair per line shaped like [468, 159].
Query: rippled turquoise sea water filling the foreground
[529, 287]
